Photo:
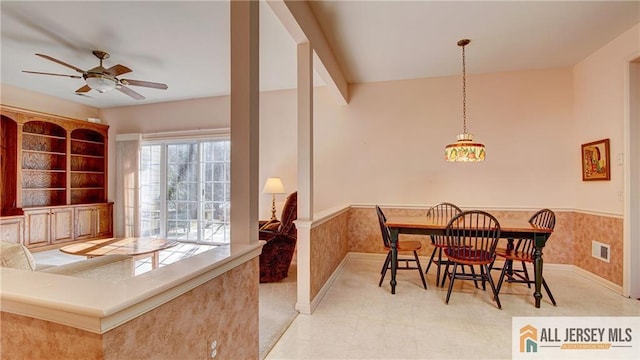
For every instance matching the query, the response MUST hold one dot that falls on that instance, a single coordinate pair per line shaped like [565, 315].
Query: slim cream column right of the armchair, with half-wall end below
[305, 175]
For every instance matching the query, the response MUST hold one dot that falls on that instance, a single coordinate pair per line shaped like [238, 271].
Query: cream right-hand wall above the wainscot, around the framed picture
[599, 113]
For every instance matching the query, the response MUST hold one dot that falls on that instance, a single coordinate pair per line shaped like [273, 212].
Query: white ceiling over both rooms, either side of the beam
[186, 44]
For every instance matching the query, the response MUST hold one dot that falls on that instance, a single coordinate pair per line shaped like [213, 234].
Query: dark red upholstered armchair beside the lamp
[281, 237]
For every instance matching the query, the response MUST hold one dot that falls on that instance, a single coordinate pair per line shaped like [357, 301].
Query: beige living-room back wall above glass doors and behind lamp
[278, 148]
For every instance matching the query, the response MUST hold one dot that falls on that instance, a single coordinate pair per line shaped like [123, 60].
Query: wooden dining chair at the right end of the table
[523, 252]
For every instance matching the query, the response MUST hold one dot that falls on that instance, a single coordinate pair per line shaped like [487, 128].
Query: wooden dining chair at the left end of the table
[403, 247]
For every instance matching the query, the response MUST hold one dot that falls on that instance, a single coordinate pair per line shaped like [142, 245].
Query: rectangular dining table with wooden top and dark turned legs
[510, 229]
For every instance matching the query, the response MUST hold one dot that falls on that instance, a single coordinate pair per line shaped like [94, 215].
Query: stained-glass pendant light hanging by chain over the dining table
[464, 150]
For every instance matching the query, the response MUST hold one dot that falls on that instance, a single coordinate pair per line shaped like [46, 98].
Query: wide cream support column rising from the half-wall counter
[244, 121]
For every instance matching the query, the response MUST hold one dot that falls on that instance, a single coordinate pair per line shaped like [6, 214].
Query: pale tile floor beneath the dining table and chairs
[359, 320]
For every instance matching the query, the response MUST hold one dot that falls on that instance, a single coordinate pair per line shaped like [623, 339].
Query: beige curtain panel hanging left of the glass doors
[126, 205]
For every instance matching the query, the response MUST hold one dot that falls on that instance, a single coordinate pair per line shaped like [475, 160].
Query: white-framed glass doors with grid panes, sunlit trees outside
[185, 190]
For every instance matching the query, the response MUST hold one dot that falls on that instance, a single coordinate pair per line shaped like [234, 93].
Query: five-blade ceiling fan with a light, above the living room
[103, 80]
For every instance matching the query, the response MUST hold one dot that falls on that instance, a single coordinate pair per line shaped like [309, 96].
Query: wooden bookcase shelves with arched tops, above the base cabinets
[51, 160]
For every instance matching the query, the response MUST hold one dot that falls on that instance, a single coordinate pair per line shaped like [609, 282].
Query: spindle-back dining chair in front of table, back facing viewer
[472, 237]
